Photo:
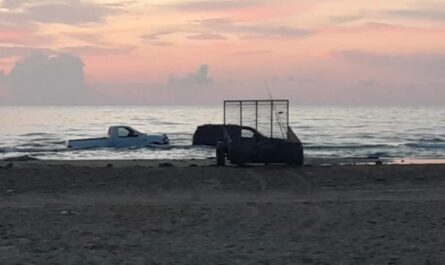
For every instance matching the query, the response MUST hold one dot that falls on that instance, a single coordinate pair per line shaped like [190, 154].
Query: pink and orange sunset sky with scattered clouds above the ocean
[326, 52]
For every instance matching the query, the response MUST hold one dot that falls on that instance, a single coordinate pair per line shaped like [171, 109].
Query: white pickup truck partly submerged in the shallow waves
[120, 137]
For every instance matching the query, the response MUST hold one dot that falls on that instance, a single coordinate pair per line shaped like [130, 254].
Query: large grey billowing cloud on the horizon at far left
[42, 79]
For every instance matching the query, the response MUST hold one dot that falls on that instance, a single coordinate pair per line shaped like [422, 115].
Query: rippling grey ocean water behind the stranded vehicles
[328, 132]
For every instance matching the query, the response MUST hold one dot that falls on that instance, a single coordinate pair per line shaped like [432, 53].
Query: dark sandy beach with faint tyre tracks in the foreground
[190, 212]
